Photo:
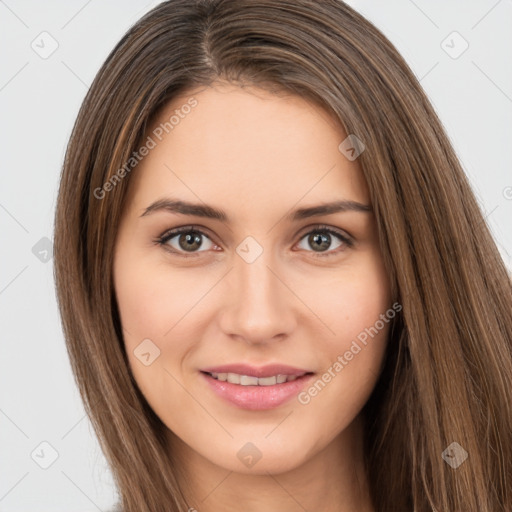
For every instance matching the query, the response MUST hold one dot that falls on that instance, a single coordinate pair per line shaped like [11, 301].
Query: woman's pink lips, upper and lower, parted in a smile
[257, 398]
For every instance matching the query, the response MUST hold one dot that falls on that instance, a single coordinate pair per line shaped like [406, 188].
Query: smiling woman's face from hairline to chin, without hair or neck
[254, 290]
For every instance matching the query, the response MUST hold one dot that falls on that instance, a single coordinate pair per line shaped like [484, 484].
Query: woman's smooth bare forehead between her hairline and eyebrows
[248, 150]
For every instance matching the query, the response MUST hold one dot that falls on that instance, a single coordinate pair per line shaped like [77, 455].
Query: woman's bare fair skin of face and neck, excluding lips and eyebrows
[258, 156]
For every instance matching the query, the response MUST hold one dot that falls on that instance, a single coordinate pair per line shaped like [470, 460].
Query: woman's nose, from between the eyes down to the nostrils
[259, 307]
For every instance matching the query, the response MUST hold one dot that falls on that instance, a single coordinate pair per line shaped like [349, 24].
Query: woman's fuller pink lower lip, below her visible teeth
[257, 398]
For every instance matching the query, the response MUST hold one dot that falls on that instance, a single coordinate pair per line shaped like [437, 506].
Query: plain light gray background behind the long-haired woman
[39, 99]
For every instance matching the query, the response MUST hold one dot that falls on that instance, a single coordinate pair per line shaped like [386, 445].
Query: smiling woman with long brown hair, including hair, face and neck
[277, 289]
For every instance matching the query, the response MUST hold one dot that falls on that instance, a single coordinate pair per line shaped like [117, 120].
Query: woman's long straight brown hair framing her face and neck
[448, 370]
